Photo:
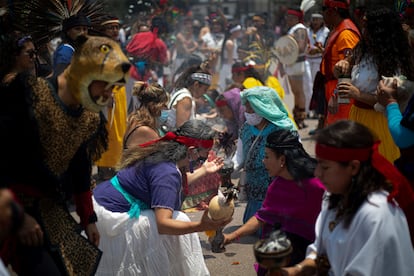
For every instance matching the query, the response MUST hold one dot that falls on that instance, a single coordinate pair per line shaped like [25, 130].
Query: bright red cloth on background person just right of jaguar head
[147, 45]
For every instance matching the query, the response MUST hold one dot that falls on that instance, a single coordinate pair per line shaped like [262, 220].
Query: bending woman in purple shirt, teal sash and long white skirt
[142, 230]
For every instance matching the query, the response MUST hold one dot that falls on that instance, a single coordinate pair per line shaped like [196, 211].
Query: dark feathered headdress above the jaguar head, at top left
[45, 19]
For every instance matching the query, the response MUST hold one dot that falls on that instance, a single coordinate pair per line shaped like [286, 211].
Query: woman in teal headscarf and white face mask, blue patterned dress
[264, 114]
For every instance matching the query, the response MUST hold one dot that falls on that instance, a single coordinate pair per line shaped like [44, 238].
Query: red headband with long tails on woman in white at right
[402, 190]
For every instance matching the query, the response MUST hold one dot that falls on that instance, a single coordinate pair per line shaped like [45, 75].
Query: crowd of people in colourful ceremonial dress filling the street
[163, 123]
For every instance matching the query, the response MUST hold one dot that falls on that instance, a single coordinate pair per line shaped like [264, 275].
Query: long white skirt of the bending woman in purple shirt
[134, 247]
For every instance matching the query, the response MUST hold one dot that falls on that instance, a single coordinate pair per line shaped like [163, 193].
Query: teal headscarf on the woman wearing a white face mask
[266, 102]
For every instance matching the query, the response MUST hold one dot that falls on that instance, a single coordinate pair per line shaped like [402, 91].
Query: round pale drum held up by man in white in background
[286, 49]
